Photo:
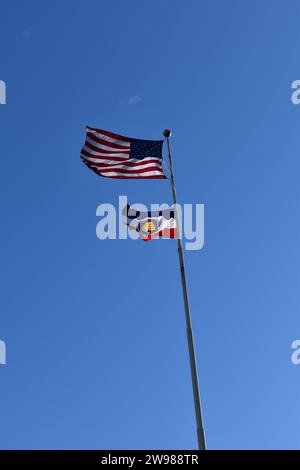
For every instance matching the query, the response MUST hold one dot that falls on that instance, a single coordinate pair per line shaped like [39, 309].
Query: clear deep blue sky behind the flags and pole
[96, 345]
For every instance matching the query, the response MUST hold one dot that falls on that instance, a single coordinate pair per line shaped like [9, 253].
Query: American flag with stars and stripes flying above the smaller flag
[115, 156]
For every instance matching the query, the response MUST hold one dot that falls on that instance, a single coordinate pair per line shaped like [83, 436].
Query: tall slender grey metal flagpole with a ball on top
[190, 339]
